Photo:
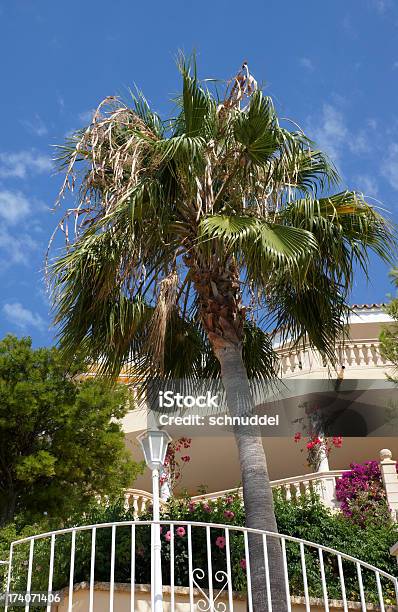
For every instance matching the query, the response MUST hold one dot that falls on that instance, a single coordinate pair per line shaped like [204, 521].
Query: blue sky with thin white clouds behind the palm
[330, 66]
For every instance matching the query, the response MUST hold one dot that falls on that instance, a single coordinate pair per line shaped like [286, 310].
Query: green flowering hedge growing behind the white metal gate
[305, 518]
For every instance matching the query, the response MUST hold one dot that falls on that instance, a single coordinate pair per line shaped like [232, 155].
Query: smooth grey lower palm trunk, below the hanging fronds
[257, 493]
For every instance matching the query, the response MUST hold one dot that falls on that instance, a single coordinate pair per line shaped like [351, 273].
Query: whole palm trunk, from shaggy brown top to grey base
[218, 290]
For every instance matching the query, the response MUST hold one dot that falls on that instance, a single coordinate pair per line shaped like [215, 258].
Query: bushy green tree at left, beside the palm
[61, 442]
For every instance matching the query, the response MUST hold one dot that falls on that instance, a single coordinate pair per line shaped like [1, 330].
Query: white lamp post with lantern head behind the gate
[154, 446]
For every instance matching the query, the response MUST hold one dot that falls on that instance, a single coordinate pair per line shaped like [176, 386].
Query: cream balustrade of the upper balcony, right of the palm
[354, 354]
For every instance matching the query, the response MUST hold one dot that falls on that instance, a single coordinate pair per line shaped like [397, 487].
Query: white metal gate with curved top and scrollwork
[212, 561]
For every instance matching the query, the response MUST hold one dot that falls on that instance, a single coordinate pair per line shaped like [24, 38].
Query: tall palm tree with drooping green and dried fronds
[192, 238]
